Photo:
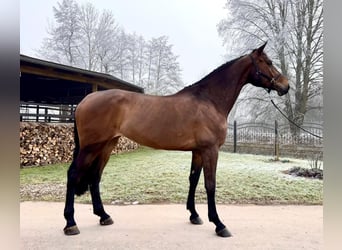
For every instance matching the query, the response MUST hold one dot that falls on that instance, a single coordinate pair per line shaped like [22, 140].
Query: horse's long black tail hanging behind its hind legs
[80, 179]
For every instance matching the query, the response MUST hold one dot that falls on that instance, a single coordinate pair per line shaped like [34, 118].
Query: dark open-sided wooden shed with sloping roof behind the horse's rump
[50, 91]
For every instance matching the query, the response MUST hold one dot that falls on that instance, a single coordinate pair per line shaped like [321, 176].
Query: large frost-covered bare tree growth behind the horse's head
[294, 29]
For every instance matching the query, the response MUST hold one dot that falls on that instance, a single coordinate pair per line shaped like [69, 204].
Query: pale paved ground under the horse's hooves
[167, 227]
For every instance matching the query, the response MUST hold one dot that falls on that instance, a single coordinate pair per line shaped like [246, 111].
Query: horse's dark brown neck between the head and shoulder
[223, 89]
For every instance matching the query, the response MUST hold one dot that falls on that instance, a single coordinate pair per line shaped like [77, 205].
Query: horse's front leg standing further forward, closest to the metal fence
[209, 164]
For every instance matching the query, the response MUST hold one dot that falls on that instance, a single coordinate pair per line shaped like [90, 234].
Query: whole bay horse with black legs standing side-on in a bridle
[193, 119]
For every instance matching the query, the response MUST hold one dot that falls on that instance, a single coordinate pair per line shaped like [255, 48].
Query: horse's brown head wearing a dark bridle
[264, 74]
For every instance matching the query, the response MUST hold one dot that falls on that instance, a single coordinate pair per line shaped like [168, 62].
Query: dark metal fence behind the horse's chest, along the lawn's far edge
[274, 139]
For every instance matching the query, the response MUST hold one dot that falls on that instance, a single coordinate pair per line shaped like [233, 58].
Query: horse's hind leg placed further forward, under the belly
[100, 162]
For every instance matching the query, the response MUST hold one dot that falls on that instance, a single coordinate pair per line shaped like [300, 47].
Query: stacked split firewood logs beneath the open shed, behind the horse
[45, 143]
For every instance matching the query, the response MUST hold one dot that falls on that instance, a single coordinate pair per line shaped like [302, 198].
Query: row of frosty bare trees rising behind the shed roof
[84, 37]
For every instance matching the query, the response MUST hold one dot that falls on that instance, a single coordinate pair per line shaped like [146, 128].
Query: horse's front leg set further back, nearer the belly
[195, 173]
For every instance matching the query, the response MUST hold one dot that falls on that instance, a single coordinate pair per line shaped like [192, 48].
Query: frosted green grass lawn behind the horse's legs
[158, 176]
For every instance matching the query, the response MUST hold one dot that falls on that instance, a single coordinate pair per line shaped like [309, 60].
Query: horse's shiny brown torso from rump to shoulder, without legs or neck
[172, 122]
